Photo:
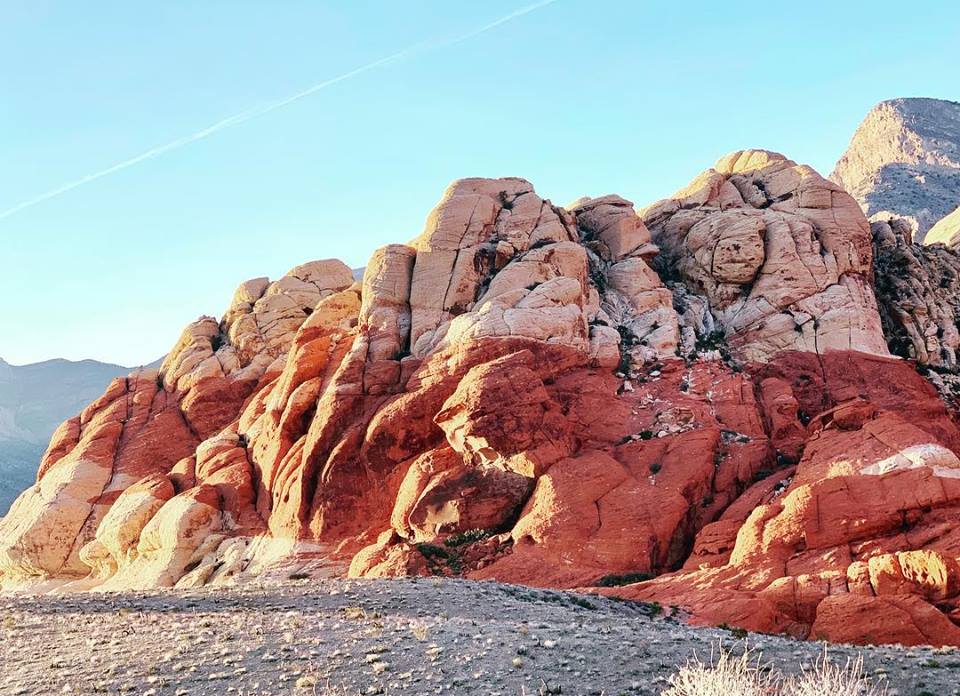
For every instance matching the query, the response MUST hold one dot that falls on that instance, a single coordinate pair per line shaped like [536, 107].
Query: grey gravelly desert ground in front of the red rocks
[414, 636]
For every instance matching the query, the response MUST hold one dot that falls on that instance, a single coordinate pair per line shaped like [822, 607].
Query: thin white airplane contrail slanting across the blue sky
[254, 112]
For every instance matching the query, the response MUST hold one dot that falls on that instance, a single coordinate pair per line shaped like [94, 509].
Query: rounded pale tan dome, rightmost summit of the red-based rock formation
[781, 255]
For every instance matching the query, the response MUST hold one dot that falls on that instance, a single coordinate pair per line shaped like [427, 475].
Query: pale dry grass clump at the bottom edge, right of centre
[727, 674]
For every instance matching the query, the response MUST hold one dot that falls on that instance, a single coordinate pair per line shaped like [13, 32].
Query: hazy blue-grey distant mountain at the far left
[34, 400]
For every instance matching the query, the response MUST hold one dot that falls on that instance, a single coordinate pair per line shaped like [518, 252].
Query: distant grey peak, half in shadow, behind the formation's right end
[904, 161]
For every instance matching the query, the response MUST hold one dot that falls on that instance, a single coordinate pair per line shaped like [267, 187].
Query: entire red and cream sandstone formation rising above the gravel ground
[571, 397]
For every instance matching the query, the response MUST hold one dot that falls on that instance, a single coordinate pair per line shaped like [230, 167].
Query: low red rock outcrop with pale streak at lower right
[857, 544]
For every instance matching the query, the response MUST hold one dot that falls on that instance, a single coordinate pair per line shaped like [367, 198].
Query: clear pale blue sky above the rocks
[582, 97]
